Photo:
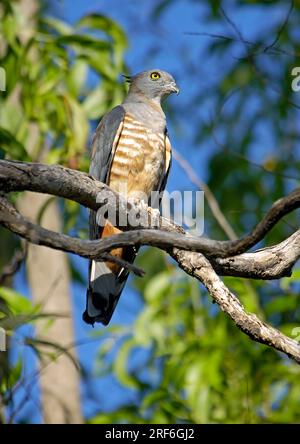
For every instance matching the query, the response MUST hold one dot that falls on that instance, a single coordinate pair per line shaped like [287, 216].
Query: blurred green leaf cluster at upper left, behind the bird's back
[49, 73]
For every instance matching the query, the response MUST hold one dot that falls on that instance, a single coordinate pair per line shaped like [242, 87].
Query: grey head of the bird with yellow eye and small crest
[154, 85]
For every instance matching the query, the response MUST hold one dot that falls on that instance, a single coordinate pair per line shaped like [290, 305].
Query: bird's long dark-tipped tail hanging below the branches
[106, 282]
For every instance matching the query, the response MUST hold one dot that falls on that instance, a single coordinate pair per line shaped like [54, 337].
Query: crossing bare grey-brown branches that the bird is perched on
[267, 263]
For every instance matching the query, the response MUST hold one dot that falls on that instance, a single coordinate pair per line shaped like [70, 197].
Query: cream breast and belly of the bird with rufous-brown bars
[139, 160]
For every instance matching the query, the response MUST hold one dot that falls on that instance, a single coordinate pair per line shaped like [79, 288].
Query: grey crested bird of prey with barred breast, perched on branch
[131, 150]
